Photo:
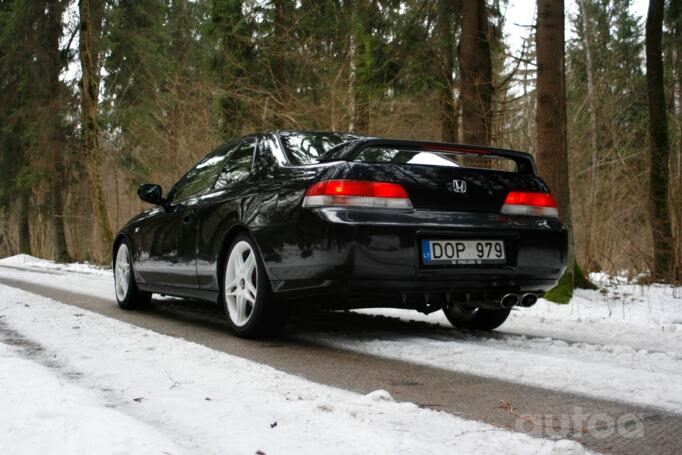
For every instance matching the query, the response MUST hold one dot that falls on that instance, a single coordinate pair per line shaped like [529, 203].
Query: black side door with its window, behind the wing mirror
[169, 236]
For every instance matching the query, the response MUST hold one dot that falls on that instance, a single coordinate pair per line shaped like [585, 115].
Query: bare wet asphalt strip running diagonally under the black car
[465, 395]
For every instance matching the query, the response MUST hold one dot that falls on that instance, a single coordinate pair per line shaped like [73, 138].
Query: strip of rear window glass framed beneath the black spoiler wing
[391, 155]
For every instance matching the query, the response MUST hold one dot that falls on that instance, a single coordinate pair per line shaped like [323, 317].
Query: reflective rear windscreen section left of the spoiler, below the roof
[305, 148]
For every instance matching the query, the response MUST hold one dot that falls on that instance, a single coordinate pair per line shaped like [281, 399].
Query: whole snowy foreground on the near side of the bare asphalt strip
[74, 381]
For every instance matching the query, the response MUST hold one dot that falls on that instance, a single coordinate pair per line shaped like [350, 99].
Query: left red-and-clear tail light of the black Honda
[357, 193]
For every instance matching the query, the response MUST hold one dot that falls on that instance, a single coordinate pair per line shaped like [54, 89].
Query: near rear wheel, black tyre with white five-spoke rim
[249, 315]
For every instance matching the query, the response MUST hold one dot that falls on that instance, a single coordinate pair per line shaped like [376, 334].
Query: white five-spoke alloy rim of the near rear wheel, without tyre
[241, 283]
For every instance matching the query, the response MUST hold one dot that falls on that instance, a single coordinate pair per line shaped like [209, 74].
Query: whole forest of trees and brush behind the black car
[99, 96]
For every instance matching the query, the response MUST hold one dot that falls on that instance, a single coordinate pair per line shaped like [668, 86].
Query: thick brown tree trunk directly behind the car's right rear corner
[550, 119]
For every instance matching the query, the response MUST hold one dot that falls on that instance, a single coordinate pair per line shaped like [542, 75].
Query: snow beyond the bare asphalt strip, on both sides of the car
[623, 342]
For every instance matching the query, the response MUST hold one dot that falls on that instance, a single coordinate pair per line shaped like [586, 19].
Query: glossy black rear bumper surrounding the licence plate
[358, 252]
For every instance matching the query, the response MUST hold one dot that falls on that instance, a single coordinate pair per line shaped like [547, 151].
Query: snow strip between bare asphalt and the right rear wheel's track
[614, 372]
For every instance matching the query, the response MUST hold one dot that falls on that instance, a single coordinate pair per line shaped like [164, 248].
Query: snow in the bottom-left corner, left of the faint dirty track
[45, 414]
